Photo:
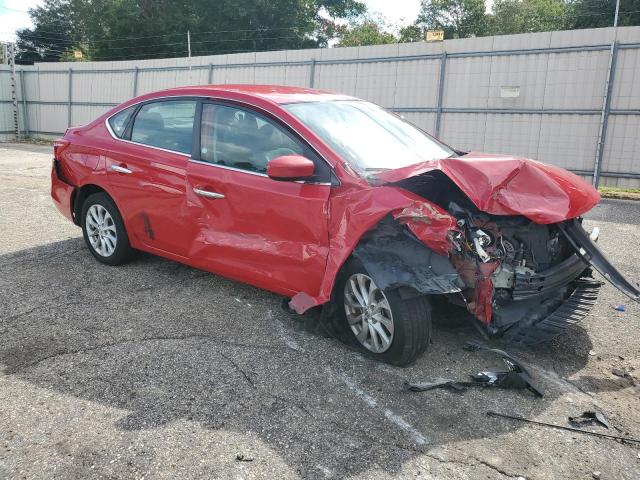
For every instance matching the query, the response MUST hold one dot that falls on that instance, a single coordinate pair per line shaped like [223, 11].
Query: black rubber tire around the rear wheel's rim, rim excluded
[123, 251]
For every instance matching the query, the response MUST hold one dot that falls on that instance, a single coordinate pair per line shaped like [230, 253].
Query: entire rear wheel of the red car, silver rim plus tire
[103, 230]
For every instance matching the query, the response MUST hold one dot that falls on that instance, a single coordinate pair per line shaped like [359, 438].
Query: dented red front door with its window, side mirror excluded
[245, 225]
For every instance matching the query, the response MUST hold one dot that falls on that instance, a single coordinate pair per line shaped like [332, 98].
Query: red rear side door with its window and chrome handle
[147, 171]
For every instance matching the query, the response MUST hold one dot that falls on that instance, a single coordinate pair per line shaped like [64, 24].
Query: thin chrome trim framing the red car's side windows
[189, 155]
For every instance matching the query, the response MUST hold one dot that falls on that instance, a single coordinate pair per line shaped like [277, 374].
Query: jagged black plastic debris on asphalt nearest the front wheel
[516, 377]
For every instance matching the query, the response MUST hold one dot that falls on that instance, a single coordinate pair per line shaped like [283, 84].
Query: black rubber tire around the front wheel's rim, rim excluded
[411, 320]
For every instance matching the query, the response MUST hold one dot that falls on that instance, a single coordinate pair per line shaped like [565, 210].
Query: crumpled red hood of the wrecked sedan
[506, 185]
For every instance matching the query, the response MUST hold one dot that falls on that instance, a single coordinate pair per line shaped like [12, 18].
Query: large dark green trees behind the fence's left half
[128, 29]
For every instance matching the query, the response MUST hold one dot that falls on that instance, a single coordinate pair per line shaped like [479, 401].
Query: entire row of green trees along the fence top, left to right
[128, 29]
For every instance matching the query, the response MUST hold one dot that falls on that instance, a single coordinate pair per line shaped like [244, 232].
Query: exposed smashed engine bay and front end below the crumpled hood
[514, 275]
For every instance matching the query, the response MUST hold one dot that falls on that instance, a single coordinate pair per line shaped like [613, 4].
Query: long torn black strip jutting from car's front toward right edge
[591, 254]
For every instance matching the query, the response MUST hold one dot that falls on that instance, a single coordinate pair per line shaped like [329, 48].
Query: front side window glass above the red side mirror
[238, 138]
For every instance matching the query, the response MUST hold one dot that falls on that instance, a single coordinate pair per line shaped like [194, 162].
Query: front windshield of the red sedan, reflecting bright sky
[368, 137]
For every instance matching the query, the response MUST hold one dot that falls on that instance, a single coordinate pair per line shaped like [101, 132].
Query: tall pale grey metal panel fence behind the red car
[539, 95]
